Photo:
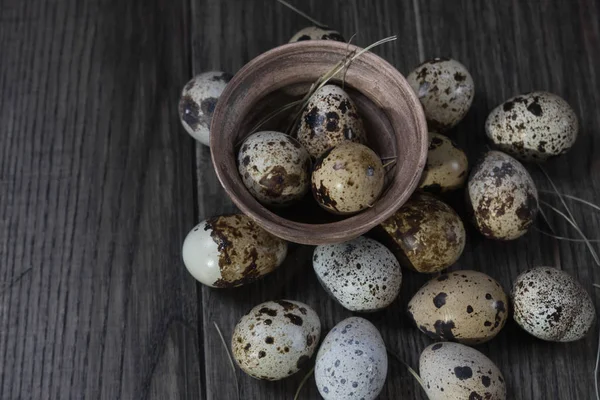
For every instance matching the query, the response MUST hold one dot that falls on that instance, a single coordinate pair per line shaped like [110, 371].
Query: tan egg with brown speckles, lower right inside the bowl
[348, 179]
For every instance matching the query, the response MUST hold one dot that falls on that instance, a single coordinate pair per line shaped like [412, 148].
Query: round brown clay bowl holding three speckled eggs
[391, 112]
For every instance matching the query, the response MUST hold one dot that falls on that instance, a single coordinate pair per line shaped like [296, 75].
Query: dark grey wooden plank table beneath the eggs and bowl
[99, 184]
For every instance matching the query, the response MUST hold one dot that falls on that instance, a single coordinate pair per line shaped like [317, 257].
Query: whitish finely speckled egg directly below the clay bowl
[361, 274]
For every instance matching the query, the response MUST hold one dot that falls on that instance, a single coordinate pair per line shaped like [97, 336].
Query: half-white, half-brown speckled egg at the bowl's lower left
[231, 250]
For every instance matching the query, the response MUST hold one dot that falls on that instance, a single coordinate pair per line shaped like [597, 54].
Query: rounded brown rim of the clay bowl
[305, 233]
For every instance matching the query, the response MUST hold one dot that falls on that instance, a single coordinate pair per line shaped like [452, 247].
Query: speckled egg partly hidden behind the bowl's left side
[198, 101]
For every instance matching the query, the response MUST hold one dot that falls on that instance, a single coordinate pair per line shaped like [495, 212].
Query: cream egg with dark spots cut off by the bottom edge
[452, 371]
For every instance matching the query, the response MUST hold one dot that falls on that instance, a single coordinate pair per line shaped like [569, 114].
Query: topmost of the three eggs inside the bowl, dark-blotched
[329, 118]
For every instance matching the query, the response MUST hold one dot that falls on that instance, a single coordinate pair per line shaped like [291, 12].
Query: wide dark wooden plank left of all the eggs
[96, 194]
